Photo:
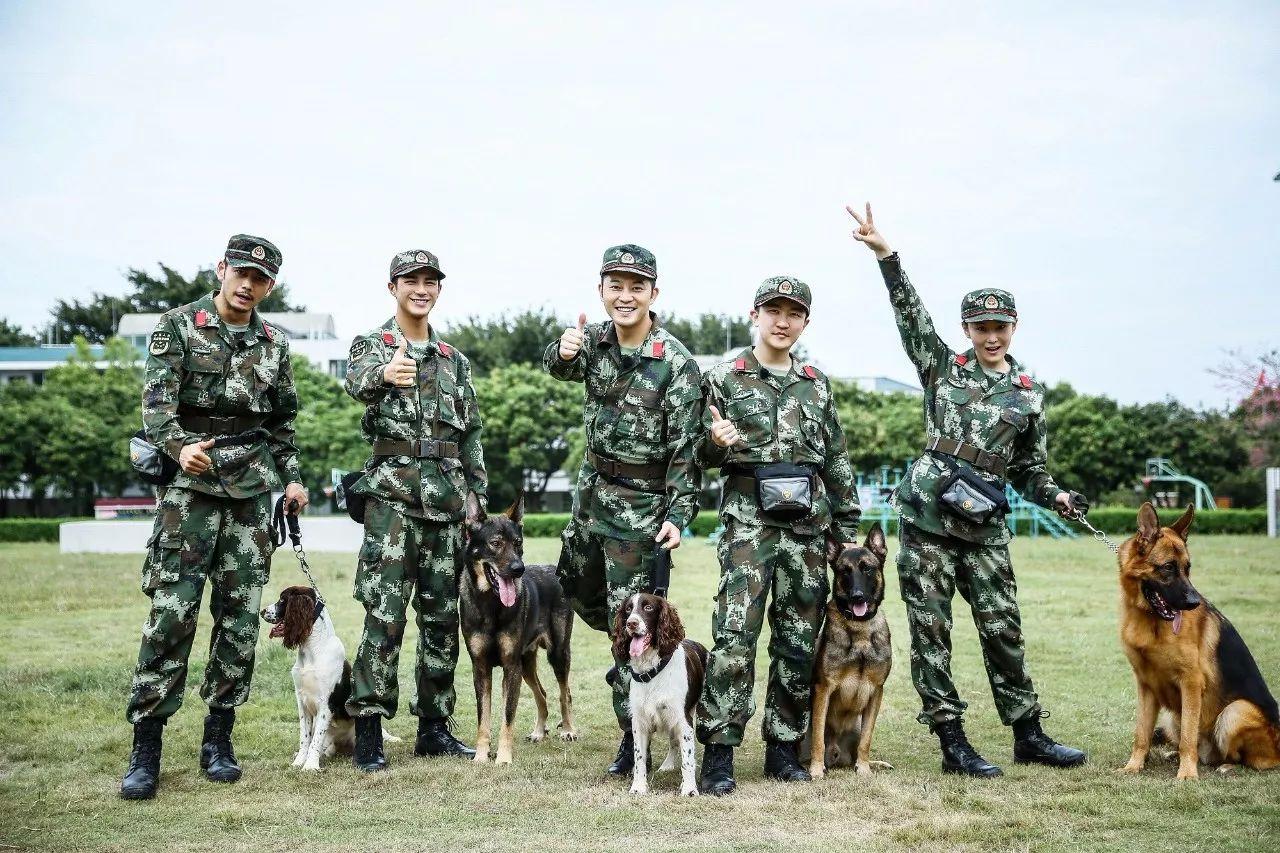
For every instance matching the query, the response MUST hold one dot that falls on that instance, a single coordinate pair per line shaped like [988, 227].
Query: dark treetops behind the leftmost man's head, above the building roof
[97, 320]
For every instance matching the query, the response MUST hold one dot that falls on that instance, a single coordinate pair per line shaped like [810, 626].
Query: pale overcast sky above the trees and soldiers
[1113, 168]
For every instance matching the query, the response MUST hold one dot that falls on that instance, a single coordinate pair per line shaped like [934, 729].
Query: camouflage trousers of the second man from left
[405, 559]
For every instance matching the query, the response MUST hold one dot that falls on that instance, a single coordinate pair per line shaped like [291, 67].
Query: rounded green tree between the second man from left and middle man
[528, 417]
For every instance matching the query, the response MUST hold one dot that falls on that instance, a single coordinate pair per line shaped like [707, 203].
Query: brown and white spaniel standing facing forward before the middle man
[668, 676]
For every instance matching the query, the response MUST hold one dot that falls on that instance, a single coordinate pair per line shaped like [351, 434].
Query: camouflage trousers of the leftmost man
[199, 537]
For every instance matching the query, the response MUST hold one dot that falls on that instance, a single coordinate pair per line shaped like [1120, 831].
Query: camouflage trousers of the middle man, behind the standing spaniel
[598, 574]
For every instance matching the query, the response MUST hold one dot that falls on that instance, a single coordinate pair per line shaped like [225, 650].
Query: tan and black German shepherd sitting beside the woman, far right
[1194, 670]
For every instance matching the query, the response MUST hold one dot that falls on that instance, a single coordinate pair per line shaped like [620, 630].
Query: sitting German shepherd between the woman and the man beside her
[853, 662]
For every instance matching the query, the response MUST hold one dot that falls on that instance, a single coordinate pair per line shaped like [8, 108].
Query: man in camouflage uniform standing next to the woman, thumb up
[766, 408]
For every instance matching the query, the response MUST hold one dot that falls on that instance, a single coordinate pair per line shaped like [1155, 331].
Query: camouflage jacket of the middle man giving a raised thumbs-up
[641, 409]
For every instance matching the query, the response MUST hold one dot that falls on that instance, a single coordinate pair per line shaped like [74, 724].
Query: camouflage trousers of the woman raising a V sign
[931, 569]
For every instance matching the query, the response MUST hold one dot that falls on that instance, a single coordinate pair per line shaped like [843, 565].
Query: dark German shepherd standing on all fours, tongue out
[509, 612]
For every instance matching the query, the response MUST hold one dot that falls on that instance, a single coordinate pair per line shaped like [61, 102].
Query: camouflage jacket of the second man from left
[442, 407]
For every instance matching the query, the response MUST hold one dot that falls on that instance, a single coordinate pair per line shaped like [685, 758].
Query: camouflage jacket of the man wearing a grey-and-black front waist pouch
[789, 419]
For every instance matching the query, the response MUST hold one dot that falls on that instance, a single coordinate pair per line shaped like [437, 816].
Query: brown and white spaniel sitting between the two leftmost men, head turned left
[322, 677]
